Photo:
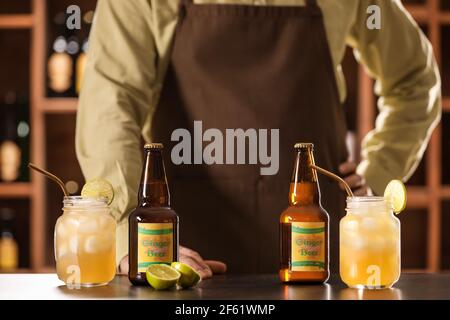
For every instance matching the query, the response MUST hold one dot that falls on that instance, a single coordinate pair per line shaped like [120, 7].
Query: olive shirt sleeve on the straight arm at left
[115, 101]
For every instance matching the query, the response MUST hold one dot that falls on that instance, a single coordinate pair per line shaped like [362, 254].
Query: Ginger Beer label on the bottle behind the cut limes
[155, 244]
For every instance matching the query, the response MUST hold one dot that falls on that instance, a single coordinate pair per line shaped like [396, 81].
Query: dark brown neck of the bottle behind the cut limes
[153, 189]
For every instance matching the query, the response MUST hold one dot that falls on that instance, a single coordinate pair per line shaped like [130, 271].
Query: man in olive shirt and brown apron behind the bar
[158, 66]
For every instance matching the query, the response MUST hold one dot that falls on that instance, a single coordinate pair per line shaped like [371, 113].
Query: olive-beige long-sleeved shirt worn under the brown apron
[130, 45]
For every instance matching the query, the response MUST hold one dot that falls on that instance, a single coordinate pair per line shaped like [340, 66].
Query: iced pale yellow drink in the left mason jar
[85, 243]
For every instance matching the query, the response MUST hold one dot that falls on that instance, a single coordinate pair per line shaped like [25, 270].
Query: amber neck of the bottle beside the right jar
[304, 189]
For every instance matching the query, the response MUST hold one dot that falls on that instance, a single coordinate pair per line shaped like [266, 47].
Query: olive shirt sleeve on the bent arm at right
[400, 58]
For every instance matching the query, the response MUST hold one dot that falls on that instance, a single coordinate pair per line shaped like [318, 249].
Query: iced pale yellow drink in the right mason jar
[369, 244]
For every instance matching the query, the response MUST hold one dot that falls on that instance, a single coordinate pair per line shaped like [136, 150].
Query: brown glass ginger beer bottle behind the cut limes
[153, 225]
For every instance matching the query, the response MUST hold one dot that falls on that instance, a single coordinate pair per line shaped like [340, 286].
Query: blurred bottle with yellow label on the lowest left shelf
[9, 250]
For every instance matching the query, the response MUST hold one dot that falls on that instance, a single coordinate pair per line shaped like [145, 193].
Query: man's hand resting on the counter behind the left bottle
[206, 268]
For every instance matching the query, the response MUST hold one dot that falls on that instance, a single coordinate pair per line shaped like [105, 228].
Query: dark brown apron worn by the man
[261, 67]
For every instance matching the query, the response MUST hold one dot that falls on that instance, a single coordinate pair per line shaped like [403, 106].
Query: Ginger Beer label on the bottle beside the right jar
[308, 246]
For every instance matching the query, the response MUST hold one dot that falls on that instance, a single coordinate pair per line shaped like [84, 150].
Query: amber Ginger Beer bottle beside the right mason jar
[304, 226]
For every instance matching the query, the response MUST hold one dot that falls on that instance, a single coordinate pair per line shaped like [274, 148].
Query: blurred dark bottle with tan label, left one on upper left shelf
[60, 62]
